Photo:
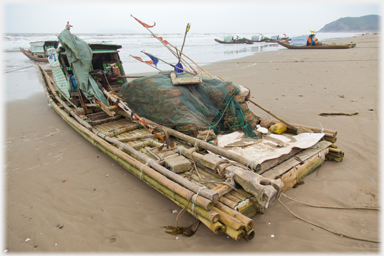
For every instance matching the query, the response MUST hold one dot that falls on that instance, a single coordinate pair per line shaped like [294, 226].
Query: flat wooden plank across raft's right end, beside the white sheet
[296, 160]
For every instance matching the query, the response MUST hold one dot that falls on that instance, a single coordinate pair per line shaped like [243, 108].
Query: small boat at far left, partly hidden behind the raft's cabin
[40, 50]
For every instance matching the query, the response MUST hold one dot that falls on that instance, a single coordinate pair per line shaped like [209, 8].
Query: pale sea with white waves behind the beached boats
[201, 48]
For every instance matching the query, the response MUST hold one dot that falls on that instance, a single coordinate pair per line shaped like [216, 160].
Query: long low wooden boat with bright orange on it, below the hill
[310, 42]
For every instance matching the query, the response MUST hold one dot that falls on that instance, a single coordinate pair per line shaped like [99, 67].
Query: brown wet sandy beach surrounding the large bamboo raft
[62, 194]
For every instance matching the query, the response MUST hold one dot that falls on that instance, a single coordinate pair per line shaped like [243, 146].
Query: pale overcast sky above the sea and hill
[210, 16]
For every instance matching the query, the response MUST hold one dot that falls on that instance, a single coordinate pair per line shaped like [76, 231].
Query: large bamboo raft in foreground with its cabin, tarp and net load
[216, 163]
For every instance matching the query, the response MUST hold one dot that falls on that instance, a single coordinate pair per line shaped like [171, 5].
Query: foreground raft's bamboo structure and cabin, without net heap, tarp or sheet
[221, 189]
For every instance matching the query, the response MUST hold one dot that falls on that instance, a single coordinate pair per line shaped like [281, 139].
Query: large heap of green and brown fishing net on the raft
[212, 104]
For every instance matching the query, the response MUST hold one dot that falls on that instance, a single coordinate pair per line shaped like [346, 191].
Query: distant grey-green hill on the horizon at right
[368, 23]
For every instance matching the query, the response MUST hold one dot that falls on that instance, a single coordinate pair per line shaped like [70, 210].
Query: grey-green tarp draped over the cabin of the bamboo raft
[79, 55]
